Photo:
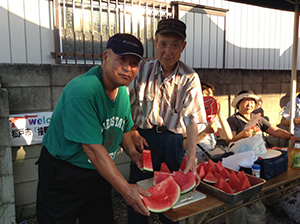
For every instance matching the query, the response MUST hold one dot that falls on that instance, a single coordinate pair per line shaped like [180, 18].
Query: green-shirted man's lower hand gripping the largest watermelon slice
[133, 198]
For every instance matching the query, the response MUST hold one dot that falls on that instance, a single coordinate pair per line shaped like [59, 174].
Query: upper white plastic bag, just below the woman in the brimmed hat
[254, 143]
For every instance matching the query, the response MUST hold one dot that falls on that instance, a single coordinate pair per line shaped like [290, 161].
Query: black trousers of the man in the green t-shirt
[66, 193]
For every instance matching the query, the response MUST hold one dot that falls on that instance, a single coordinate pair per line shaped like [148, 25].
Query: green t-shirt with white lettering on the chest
[85, 114]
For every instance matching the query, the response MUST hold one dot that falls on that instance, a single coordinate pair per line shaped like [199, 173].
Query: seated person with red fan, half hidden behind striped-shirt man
[207, 139]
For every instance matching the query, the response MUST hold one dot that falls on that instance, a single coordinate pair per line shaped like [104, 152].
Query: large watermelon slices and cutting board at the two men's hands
[168, 189]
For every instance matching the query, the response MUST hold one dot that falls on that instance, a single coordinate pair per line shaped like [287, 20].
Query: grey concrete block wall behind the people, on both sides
[36, 88]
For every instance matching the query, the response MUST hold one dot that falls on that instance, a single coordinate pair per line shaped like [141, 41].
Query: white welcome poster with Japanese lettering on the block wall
[28, 129]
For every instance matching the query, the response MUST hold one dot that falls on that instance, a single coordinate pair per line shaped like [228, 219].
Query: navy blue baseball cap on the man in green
[124, 43]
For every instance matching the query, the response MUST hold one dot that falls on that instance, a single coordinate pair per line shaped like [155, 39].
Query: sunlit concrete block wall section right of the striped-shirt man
[270, 85]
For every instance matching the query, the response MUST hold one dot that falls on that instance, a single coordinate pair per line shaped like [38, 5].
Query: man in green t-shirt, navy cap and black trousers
[91, 119]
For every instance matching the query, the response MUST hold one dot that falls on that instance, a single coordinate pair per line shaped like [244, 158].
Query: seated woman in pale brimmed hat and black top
[246, 101]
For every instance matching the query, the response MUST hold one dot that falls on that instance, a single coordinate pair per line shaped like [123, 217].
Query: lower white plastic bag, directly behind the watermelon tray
[243, 159]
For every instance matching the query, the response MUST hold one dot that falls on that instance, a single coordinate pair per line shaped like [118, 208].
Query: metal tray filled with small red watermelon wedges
[226, 184]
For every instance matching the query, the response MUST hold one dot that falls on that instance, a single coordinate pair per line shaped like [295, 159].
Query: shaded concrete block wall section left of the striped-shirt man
[32, 88]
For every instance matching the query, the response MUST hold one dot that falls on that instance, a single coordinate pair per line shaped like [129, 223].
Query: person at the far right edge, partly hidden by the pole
[285, 119]
